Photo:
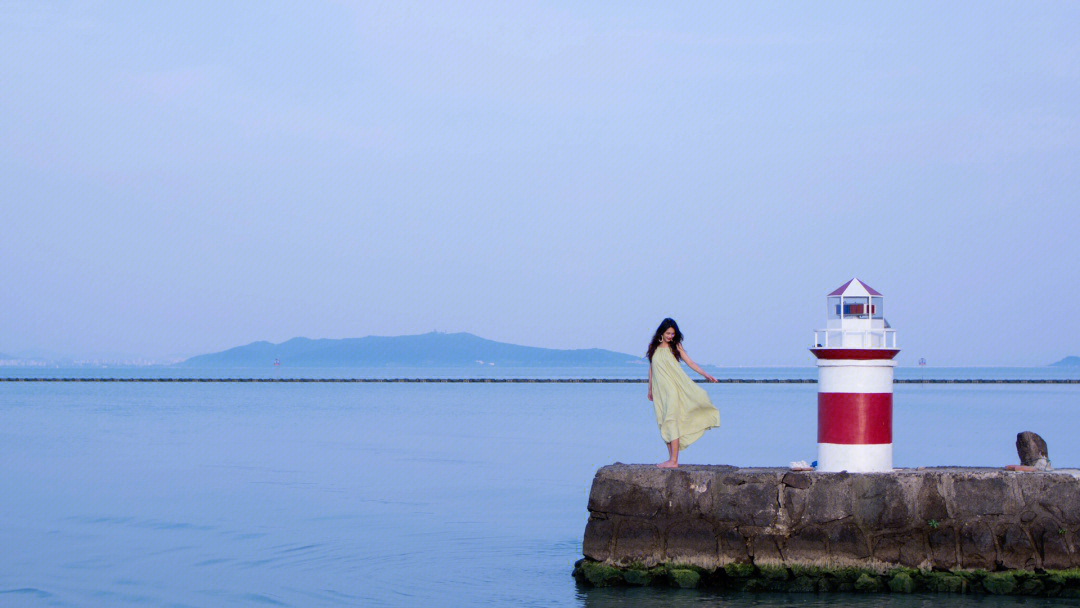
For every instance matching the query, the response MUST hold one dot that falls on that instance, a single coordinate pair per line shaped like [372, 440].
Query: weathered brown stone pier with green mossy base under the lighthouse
[949, 530]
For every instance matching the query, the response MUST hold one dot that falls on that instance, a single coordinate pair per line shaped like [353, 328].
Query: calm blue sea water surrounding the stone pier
[412, 494]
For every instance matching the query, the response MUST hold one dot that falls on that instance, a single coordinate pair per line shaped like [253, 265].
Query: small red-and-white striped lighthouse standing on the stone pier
[855, 354]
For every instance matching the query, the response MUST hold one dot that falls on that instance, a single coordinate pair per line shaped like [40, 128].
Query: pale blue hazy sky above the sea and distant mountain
[180, 179]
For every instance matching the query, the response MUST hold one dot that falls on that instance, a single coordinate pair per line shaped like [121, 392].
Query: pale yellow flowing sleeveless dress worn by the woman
[684, 412]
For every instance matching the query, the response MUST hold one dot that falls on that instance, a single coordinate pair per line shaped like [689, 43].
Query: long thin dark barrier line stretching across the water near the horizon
[544, 381]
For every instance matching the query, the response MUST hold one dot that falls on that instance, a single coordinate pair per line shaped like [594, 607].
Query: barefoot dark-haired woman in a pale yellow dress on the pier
[684, 412]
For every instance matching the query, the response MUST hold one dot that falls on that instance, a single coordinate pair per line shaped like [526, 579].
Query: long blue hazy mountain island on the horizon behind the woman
[434, 349]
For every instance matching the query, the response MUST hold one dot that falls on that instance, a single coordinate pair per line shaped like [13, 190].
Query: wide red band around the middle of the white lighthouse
[855, 418]
